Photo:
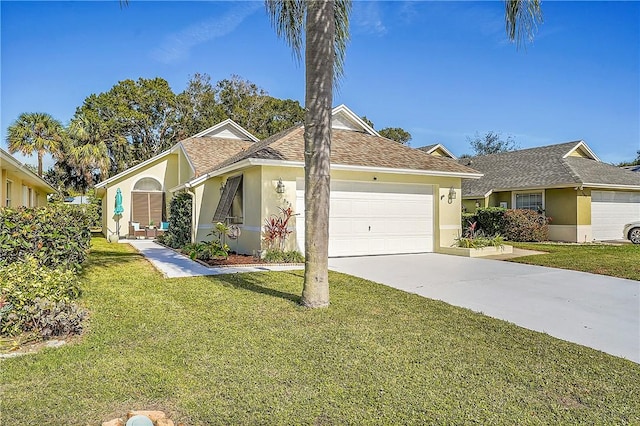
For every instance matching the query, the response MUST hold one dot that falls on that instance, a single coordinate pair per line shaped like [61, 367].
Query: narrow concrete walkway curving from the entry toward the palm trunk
[174, 265]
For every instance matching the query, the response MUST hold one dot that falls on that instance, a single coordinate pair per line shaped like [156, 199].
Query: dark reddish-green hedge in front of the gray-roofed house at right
[512, 225]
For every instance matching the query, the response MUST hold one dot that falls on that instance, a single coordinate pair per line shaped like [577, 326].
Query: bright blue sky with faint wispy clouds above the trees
[441, 70]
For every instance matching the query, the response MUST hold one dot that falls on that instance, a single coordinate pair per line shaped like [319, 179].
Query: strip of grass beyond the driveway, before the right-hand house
[621, 261]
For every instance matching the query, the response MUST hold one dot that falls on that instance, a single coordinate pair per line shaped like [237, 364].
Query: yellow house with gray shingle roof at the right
[585, 198]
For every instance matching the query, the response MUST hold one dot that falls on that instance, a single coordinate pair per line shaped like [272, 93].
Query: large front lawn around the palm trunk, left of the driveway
[238, 349]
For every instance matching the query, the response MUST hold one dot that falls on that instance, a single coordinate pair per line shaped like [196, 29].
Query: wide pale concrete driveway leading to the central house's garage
[592, 310]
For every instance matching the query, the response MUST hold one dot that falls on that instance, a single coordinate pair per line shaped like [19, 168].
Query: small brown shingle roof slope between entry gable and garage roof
[206, 152]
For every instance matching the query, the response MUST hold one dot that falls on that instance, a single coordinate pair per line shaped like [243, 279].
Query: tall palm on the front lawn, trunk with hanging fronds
[325, 25]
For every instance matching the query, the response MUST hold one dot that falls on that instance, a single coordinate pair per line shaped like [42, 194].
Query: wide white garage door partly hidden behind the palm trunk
[375, 218]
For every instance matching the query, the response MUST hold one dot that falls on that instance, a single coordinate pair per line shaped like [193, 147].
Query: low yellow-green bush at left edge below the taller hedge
[26, 286]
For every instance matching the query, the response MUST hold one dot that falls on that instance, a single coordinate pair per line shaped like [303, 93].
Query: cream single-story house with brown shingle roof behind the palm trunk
[385, 197]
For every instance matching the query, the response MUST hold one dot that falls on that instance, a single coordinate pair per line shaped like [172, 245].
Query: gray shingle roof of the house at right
[541, 167]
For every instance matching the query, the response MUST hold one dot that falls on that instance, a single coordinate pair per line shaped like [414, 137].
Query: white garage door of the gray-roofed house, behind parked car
[610, 210]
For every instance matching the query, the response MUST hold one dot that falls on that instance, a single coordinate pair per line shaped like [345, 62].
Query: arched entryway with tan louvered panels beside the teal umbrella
[147, 202]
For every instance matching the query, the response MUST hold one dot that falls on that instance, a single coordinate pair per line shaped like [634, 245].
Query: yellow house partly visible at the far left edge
[19, 186]
